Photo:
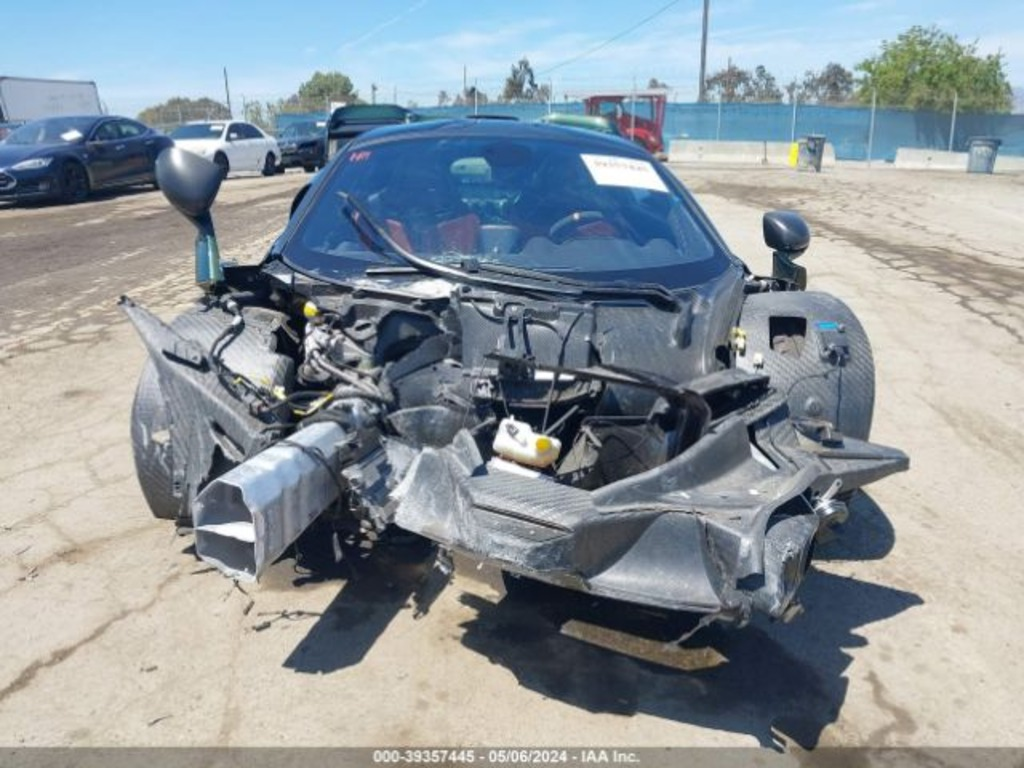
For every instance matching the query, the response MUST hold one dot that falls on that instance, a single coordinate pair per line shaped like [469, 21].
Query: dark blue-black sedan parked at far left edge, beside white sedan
[67, 158]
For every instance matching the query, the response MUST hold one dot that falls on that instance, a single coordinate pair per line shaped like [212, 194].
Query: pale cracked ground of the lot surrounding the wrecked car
[913, 635]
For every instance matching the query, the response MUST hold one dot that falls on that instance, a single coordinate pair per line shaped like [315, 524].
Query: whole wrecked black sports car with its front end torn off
[526, 344]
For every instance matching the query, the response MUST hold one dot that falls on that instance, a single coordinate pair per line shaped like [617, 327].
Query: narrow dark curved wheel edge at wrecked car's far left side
[151, 442]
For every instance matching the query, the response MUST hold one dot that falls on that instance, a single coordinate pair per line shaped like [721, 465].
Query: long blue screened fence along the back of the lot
[847, 129]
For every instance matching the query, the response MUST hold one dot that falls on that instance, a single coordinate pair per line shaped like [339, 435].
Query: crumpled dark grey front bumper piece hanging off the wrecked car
[717, 530]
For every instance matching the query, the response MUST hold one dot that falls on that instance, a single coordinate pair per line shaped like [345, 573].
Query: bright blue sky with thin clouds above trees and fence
[142, 55]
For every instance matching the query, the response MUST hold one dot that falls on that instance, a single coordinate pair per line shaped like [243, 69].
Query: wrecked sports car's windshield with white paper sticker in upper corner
[593, 212]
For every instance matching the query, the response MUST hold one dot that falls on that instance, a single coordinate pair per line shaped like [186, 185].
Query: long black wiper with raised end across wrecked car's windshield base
[471, 271]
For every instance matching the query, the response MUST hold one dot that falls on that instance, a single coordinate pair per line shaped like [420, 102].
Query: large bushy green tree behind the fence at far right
[925, 68]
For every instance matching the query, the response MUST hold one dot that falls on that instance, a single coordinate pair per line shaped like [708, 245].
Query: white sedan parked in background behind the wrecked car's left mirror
[233, 145]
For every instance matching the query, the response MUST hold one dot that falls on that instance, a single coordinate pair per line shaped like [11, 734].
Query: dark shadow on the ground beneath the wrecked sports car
[779, 684]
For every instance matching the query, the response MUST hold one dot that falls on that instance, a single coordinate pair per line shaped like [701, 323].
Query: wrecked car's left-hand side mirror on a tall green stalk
[191, 185]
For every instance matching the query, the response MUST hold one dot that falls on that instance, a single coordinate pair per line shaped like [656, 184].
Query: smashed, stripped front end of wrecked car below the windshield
[520, 431]
